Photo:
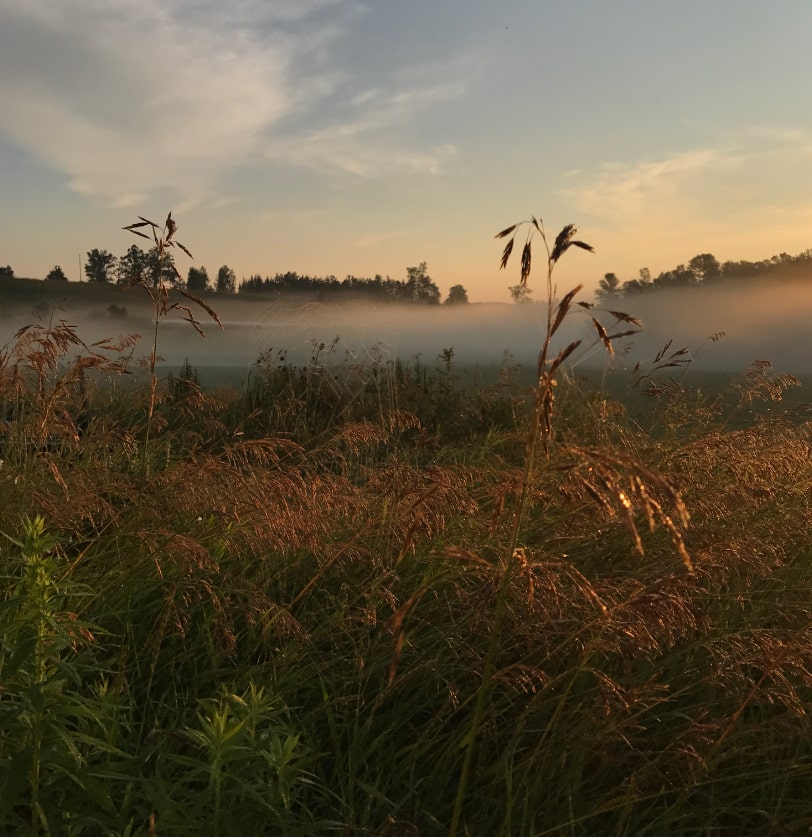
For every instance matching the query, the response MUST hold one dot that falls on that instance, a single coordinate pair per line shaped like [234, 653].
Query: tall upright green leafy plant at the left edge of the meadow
[55, 709]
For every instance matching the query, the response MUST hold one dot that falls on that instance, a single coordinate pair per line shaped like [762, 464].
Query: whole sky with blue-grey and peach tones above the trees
[364, 136]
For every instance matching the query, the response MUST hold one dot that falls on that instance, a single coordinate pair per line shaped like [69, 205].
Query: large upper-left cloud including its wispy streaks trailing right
[126, 99]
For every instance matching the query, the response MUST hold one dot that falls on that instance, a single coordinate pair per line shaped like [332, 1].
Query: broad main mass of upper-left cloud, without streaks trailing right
[126, 99]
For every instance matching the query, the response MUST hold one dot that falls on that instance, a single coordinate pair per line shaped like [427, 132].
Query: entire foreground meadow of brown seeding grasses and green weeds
[365, 598]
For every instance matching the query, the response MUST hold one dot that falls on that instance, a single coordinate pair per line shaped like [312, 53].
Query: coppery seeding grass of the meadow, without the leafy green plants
[619, 678]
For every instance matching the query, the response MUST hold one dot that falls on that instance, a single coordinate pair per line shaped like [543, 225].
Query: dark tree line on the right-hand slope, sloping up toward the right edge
[705, 270]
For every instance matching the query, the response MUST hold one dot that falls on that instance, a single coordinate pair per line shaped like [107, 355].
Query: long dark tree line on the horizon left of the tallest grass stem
[138, 266]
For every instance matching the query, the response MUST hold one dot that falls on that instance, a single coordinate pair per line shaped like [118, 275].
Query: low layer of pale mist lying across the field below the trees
[758, 322]
